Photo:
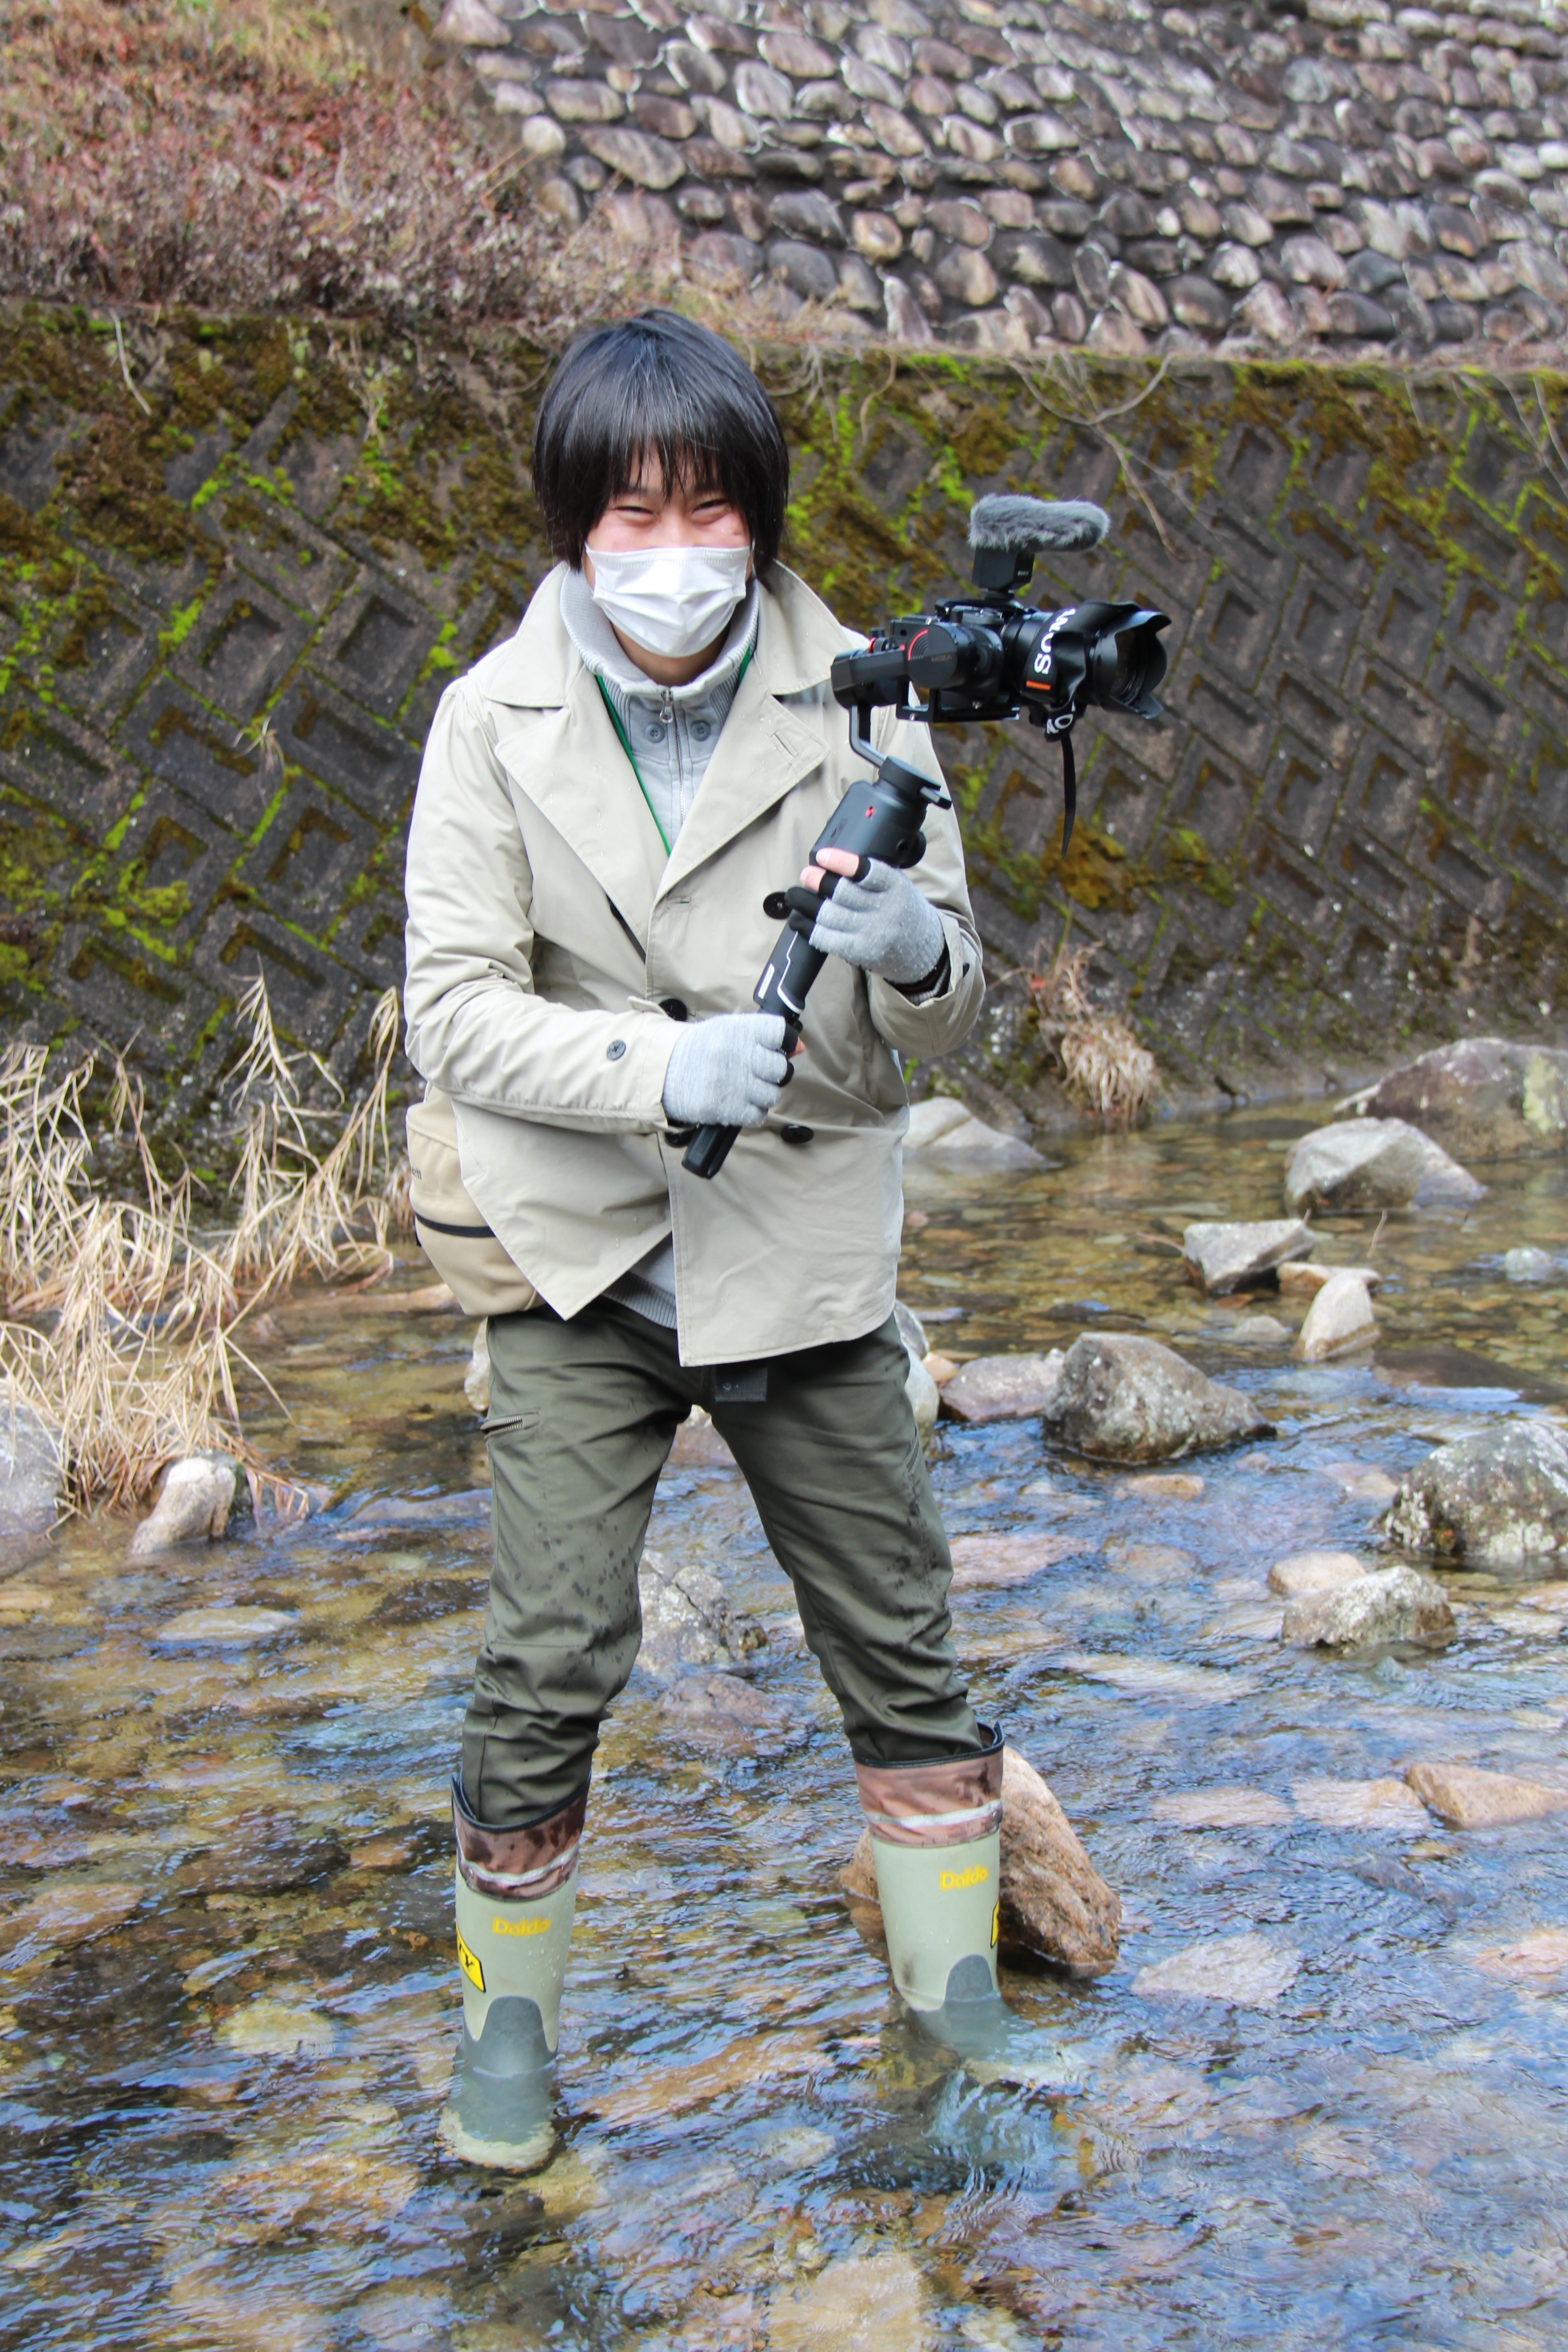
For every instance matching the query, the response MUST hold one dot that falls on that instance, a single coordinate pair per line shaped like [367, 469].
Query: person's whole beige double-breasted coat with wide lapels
[547, 928]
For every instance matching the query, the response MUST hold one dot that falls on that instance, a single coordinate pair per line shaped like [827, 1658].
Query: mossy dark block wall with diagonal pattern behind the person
[239, 563]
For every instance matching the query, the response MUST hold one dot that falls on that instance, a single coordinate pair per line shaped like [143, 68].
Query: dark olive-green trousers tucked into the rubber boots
[579, 1426]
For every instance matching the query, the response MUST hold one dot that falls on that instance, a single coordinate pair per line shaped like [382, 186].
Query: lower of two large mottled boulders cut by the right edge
[1499, 1499]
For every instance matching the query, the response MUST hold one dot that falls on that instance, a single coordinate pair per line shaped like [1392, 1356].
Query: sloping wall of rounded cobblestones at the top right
[1031, 175]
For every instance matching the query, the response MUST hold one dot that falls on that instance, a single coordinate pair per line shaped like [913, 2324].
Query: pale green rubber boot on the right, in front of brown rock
[937, 1845]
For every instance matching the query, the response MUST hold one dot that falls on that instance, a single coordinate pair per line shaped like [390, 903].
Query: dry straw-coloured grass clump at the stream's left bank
[123, 1316]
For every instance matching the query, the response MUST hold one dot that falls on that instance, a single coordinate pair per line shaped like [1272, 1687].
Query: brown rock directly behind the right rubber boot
[1054, 1902]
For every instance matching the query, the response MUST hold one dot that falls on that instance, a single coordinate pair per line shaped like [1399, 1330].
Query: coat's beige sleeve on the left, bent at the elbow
[476, 1027]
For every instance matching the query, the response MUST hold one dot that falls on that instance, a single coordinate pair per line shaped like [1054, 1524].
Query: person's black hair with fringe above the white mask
[669, 389]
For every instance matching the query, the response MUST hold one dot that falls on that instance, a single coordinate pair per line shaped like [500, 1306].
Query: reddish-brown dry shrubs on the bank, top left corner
[154, 152]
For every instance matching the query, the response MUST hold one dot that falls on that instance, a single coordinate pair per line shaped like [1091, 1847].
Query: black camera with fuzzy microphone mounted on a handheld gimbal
[984, 657]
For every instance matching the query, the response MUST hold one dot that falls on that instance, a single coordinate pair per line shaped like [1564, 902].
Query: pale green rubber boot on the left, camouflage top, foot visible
[516, 1892]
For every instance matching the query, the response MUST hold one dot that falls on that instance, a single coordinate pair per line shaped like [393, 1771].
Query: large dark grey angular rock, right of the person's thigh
[1130, 1401]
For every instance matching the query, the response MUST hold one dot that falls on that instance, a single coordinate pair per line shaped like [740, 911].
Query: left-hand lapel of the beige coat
[575, 770]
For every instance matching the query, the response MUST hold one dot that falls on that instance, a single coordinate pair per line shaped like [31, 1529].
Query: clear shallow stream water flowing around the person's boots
[222, 2062]
